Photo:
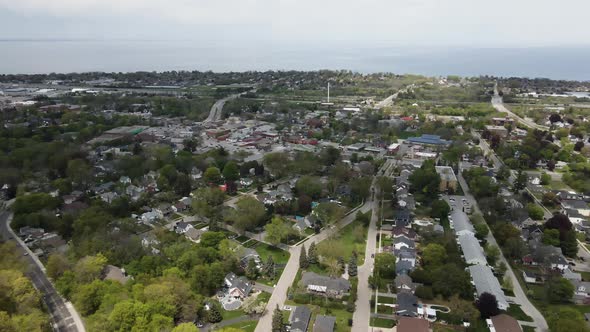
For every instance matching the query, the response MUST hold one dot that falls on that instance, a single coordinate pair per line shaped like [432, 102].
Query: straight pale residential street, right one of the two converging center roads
[362, 314]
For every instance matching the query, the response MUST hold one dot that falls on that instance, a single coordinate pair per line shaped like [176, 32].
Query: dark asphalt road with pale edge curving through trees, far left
[64, 316]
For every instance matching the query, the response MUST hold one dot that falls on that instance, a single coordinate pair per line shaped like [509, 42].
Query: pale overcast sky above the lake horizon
[478, 23]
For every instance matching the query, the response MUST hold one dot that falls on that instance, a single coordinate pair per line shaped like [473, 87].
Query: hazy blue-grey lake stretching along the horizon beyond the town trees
[76, 56]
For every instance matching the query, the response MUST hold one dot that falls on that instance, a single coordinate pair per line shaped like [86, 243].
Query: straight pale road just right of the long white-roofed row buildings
[519, 293]
